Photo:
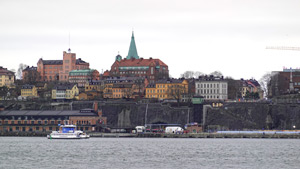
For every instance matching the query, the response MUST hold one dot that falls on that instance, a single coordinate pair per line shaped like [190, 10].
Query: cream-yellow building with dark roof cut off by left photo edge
[7, 78]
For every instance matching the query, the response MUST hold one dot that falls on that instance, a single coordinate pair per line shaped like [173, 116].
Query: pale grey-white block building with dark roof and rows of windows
[211, 88]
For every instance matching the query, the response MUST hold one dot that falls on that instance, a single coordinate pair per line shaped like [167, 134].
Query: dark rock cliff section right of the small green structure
[255, 116]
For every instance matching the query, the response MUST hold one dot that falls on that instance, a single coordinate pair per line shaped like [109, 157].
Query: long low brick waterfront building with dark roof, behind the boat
[48, 120]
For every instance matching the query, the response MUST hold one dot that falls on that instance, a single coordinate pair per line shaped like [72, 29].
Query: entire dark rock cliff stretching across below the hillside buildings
[232, 116]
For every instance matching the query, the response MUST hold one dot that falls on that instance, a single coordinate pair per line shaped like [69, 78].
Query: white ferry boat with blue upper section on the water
[68, 132]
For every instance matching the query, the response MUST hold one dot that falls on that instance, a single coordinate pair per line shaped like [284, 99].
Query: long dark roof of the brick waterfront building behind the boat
[47, 113]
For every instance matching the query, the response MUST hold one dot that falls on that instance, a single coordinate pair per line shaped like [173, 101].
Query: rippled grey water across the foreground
[37, 152]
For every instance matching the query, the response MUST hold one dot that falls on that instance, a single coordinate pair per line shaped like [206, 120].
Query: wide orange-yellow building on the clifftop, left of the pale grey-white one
[167, 89]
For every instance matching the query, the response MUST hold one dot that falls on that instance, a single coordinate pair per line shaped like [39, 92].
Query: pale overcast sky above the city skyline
[198, 35]
